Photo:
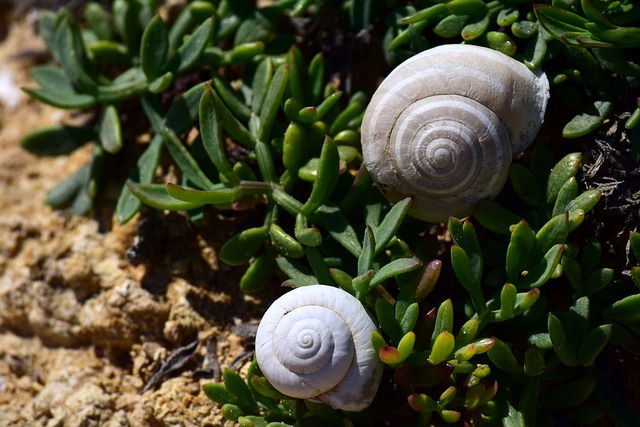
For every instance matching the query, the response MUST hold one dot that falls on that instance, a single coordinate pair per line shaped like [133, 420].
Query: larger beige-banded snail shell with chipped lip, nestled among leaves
[444, 126]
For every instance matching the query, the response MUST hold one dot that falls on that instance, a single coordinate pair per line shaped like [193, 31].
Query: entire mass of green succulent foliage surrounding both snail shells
[503, 325]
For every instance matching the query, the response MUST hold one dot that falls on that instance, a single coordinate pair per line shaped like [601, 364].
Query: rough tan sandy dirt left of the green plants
[89, 310]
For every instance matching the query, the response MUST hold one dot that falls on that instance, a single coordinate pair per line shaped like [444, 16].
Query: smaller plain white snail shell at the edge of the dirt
[314, 343]
